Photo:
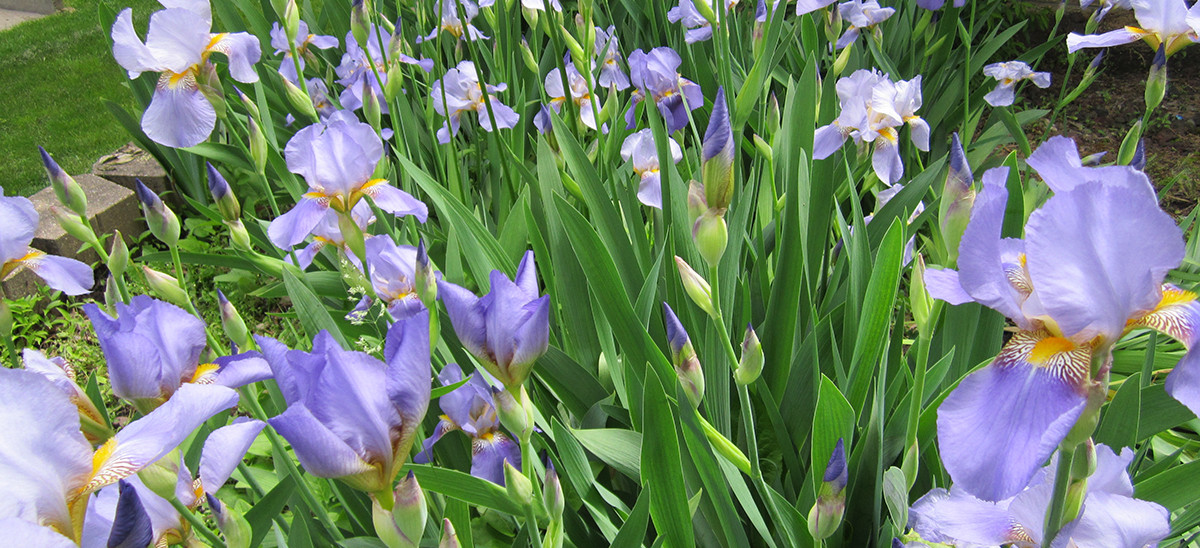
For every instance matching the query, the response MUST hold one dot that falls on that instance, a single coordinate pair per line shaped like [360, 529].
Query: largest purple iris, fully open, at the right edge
[1089, 270]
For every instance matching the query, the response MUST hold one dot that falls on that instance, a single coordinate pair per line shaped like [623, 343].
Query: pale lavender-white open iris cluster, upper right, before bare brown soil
[873, 110]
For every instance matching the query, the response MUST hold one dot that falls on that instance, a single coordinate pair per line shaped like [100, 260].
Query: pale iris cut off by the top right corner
[1162, 22]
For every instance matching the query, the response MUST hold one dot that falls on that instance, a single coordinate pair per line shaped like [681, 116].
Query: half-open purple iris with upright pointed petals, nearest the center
[508, 329]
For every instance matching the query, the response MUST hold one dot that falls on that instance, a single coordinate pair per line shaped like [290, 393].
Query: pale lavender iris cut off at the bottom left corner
[51, 471]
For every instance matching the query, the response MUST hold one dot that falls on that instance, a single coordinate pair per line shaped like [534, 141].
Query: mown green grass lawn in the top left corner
[58, 73]
